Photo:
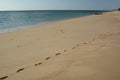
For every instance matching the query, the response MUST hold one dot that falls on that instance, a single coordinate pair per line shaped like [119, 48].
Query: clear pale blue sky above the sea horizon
[59, 4]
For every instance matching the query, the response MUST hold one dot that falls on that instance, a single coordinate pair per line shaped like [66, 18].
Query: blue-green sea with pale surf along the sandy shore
[16, 20]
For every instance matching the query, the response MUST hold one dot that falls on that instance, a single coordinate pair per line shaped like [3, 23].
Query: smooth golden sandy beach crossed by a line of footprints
[86, 48]
